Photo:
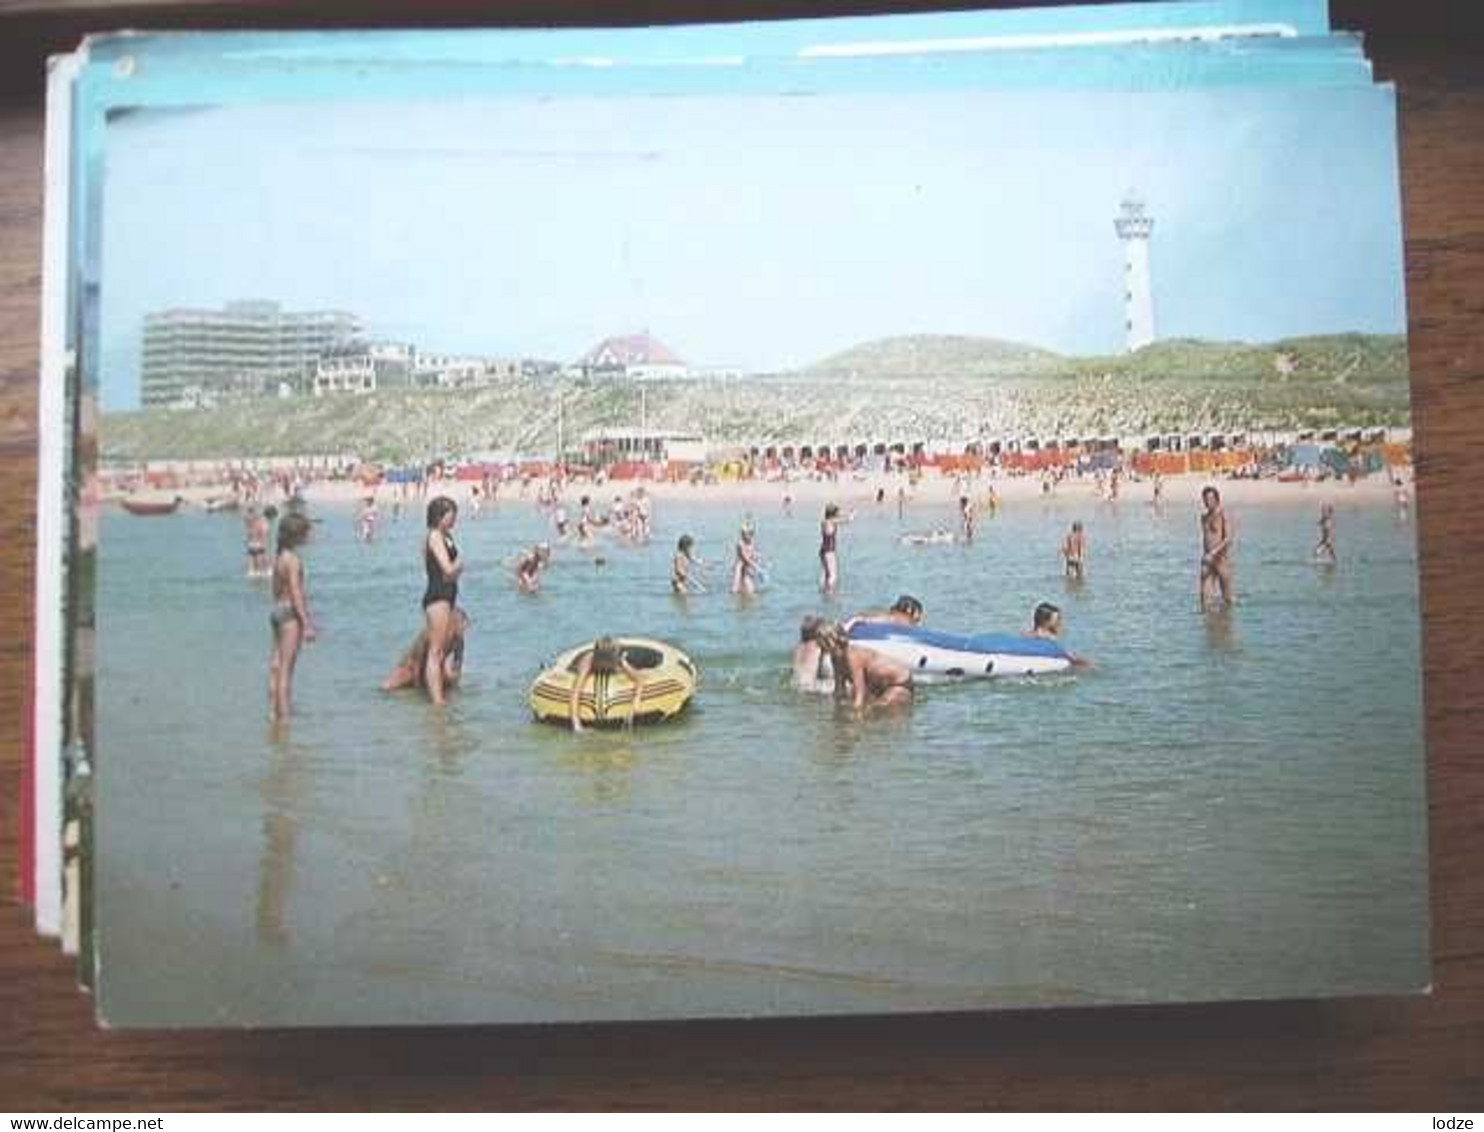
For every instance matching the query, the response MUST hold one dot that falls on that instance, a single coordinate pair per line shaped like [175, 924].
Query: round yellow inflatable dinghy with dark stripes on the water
[667, 683]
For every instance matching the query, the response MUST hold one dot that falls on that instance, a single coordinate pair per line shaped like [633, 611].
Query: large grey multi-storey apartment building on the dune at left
[244, 349]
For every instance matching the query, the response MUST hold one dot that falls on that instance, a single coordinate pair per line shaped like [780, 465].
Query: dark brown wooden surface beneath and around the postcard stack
[1421, 1054]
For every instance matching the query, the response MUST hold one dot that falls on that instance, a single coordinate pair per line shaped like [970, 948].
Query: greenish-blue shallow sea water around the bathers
[1224, 808]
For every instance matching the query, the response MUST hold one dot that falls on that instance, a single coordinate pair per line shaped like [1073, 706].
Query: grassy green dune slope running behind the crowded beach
[945, 391]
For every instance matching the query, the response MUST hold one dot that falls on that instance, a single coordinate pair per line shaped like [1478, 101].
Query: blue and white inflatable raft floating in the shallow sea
[949, 657]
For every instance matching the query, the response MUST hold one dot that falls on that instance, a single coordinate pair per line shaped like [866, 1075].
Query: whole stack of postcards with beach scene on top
[894, 514]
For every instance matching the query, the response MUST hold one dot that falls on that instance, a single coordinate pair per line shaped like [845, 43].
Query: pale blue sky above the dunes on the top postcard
[761, 232]
